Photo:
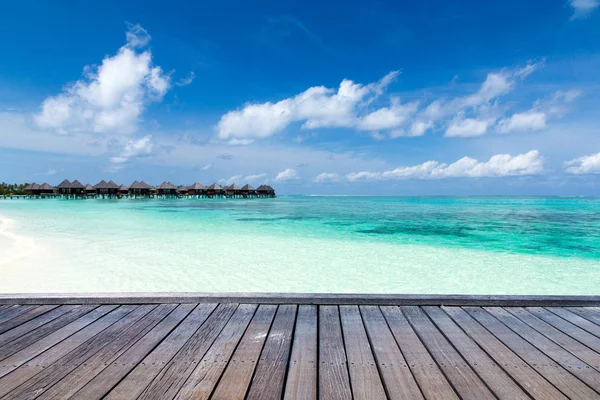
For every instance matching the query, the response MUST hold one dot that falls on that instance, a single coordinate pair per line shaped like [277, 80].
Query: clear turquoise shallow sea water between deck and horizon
[474, 245]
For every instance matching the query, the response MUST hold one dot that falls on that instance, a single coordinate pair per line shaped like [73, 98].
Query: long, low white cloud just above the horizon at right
[497, 166]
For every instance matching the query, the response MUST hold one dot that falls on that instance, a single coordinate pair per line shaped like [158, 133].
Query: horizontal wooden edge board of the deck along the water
[299, 298]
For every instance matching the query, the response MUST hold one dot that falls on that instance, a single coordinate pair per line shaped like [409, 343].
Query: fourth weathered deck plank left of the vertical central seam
[201, 383]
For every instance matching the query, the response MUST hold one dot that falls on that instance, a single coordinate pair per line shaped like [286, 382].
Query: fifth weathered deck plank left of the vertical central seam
[171, 378]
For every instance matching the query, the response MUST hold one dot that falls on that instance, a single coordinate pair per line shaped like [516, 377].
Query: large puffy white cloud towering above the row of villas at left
[111, 97]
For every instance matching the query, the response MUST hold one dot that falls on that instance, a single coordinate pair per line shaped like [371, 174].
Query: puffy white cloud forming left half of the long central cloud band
[317, 107]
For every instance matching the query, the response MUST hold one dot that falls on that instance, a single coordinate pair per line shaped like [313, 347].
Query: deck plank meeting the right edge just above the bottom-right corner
[567, 360]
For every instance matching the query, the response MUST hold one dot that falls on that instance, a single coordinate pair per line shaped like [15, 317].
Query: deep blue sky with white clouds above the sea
[430, 97]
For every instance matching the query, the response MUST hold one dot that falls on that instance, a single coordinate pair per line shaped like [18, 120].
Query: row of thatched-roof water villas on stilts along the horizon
[76, 190]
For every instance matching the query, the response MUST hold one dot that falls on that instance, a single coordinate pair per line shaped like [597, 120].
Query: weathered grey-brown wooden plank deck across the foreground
[294, 350]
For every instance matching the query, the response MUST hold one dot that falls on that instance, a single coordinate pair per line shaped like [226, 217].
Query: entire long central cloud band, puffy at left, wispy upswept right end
[350, 106]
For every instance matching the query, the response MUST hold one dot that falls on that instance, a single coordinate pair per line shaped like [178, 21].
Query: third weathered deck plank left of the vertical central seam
[238, 374]
